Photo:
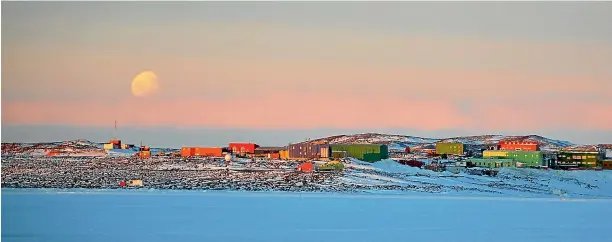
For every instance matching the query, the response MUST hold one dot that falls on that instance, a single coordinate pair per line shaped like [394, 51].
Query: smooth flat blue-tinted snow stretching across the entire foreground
[159, 215]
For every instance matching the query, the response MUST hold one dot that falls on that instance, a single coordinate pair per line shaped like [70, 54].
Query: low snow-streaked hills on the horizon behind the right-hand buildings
[402, 141]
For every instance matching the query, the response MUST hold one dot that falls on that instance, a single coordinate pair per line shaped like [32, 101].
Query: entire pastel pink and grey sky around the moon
[265, 68]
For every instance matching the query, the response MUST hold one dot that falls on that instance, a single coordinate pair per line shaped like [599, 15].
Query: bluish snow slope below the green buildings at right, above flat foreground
[515, 182]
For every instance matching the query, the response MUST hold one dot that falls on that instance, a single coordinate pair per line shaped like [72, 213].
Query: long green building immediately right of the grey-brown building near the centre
[364, 152]
